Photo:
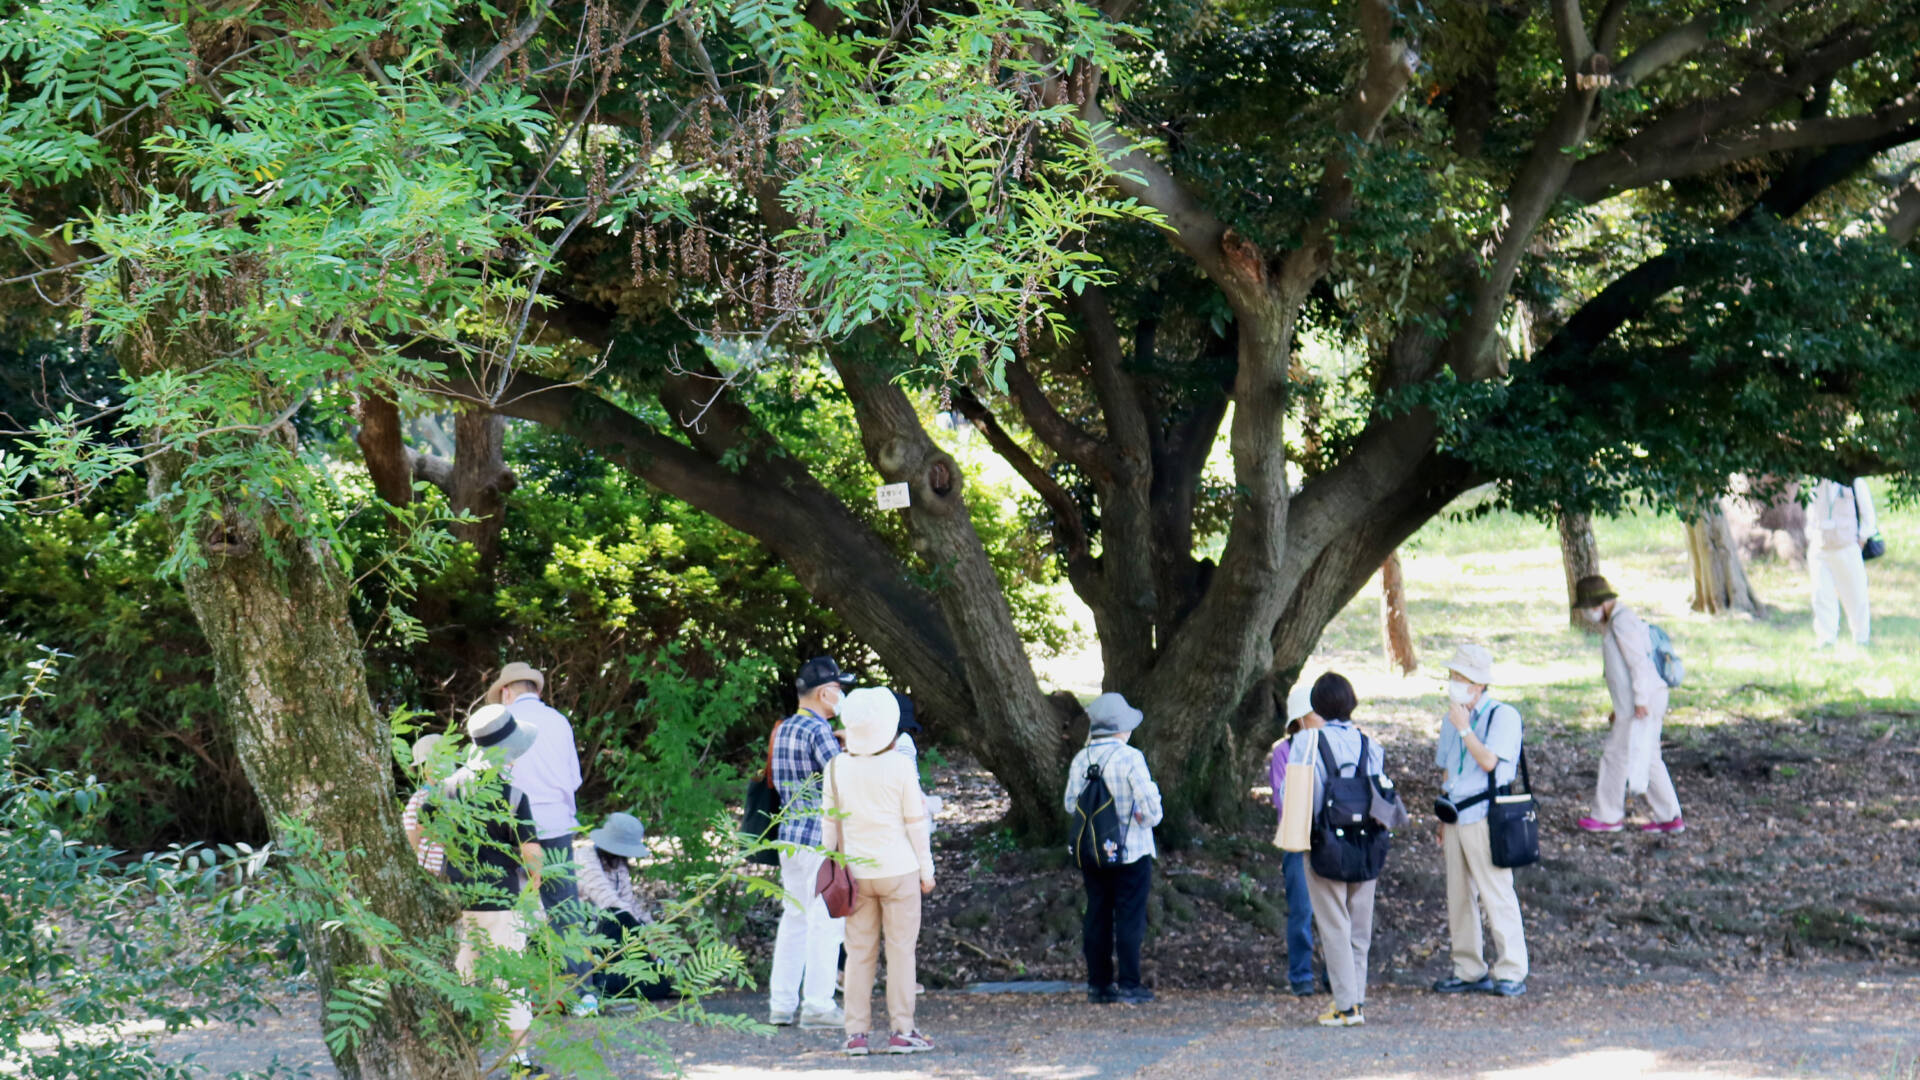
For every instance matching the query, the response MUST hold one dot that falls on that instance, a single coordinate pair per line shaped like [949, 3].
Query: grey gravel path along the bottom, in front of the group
[1821, 1027]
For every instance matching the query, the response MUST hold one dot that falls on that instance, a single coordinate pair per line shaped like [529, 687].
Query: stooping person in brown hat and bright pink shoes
[1631, 764]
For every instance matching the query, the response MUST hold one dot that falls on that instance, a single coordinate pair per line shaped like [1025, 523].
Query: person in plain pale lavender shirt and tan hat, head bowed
[550, 777]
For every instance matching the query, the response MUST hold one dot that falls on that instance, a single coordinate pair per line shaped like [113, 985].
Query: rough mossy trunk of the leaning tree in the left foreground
[289, 670]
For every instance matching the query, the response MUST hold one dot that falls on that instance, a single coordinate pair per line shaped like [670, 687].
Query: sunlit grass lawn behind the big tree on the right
[1499, 581]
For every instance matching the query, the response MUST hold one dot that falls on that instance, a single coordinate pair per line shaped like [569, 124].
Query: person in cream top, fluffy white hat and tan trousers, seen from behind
[878, 820]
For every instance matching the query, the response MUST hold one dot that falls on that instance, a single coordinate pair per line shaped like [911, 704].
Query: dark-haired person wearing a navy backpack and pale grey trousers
[1349, 852]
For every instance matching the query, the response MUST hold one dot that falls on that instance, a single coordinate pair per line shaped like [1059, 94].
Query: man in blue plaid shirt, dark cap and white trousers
[807, 945]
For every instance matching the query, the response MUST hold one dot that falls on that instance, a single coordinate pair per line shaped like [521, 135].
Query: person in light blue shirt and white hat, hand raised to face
[1477, 754]
